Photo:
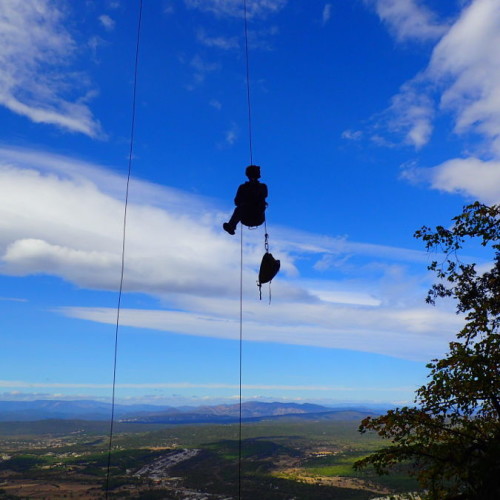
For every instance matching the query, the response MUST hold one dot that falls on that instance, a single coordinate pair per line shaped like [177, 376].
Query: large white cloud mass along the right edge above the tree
[466, 64]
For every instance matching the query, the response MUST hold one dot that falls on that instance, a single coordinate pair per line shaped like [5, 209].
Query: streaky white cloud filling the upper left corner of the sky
[36, 47]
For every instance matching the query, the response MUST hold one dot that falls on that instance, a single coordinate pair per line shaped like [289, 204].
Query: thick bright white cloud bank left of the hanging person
[62, 223]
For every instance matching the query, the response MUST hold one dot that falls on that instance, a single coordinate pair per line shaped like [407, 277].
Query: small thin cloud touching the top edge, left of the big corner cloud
[409, 19]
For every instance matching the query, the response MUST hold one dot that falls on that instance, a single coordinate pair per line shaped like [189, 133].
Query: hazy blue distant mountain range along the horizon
[24, 411]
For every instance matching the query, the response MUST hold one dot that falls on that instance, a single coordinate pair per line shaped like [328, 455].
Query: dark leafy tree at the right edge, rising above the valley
[451, 436]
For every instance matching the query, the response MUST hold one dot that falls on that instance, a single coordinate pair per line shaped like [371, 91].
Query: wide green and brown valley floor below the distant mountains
[285, 460]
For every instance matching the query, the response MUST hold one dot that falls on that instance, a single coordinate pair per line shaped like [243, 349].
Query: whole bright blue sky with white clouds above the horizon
[371, 118]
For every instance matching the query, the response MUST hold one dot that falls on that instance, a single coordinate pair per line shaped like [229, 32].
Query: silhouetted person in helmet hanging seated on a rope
[250, 202]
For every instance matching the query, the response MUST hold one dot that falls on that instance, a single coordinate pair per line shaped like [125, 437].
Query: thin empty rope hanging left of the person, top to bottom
[122, 272]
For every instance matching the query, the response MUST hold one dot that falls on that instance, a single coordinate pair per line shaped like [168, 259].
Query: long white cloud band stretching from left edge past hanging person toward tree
[63, 217]
